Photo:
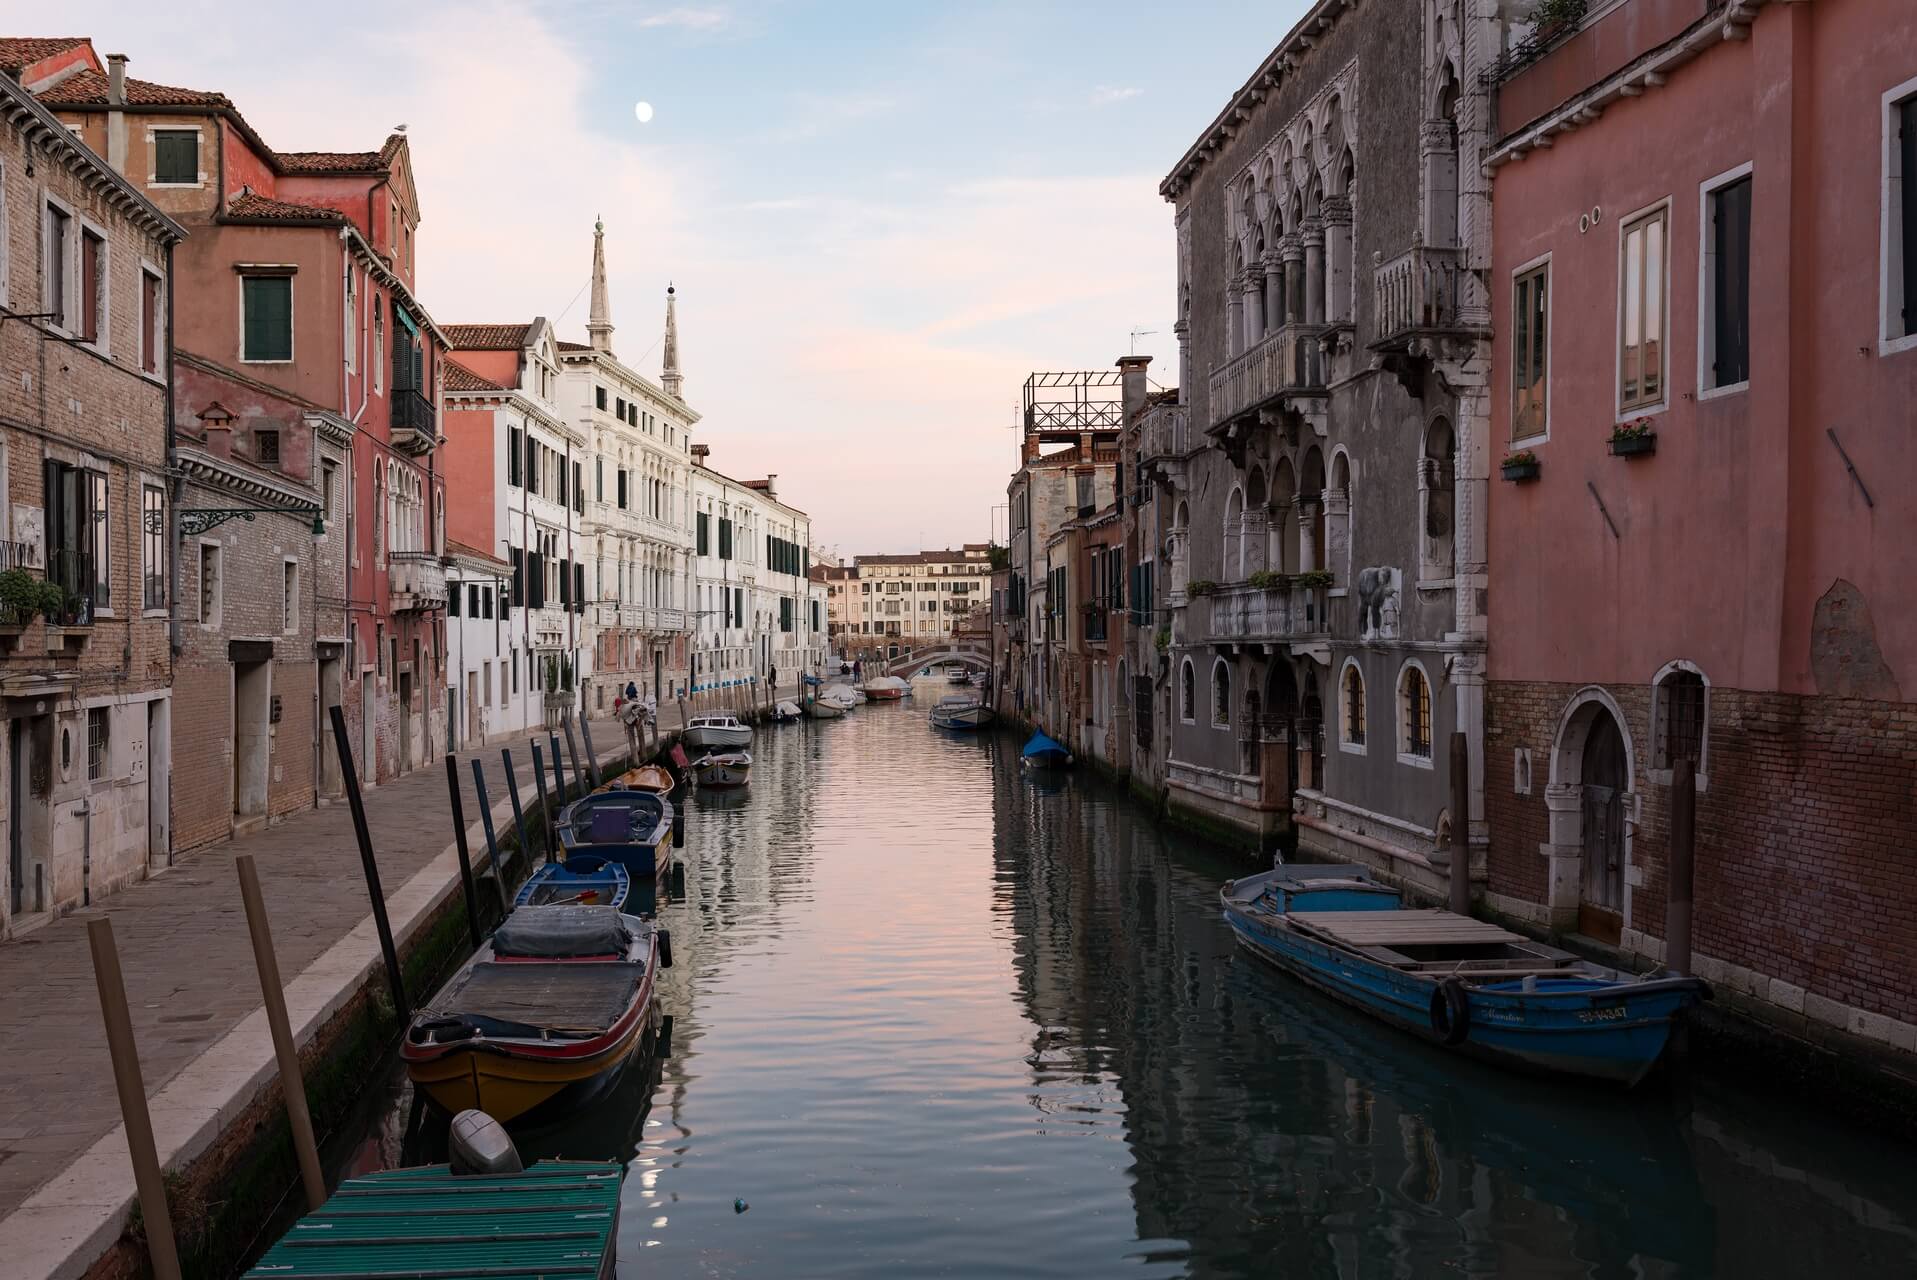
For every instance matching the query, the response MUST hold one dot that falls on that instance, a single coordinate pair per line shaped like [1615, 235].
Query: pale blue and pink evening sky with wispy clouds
[879, 217]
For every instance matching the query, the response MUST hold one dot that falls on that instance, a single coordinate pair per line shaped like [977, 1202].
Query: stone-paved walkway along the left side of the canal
[189, 963]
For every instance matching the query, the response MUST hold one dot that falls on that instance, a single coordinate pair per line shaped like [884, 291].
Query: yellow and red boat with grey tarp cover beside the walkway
[555, 1001]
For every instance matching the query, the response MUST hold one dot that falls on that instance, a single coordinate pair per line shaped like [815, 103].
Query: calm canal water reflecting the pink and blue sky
[935, 1018]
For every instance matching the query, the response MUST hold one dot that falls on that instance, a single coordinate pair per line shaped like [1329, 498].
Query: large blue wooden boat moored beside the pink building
[1456, 980]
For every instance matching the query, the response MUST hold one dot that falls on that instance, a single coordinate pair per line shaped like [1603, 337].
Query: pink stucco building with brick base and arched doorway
[1705, 317]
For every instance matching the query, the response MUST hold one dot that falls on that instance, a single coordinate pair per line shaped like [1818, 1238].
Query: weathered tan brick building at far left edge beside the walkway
[85, 668]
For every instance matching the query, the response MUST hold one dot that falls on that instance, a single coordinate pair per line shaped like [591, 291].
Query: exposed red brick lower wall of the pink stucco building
[1803, 834]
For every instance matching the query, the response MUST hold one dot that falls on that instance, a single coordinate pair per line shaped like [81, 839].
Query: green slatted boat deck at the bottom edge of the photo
[559, 1218]
